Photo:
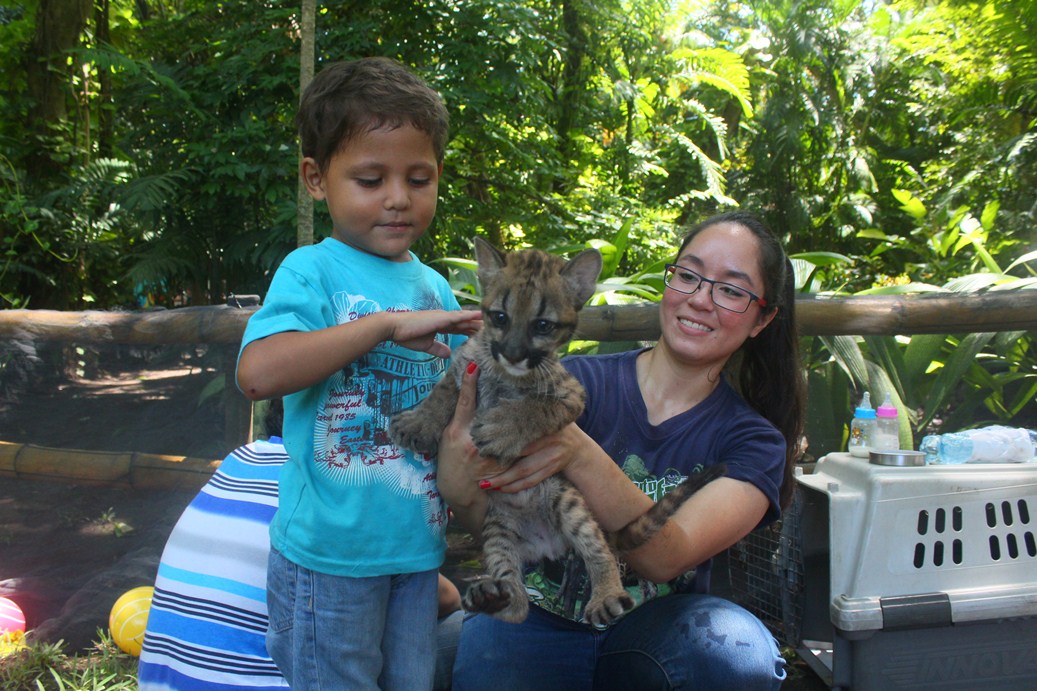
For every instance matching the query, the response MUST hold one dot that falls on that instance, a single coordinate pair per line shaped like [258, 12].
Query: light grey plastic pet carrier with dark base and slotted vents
[890, 577]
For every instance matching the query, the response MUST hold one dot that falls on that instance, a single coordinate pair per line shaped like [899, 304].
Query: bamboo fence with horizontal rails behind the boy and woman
[222, 326]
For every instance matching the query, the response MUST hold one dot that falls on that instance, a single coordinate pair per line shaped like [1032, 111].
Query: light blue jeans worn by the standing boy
[331, 633]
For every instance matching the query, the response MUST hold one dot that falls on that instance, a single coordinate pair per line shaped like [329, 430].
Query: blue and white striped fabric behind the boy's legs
[207, 628]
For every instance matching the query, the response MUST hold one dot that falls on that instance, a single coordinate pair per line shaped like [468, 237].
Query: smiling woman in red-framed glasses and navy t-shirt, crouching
[653, 418]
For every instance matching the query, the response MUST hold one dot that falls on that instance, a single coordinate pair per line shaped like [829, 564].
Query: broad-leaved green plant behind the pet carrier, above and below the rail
[938, 382]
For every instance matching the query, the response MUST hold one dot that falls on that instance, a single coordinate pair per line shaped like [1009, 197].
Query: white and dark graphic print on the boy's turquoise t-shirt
[351, 445]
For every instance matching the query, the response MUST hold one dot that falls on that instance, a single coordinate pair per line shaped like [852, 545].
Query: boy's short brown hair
[350, 99]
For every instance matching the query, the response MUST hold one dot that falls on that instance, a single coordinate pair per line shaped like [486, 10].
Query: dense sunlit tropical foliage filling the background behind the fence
[148, 154]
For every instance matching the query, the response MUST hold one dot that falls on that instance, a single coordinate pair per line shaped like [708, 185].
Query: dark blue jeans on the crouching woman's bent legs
[680, 642]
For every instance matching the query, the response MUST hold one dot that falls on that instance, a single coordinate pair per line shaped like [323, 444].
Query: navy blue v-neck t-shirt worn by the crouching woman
[658, 458]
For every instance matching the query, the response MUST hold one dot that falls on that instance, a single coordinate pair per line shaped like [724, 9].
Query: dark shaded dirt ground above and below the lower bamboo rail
[68, 550]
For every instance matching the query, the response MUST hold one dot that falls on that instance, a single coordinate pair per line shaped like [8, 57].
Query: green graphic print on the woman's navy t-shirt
[562, 587]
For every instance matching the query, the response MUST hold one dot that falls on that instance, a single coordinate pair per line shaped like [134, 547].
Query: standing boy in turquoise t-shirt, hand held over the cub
[348, 336]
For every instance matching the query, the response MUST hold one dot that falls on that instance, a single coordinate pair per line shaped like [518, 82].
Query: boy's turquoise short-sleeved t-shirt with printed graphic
[352, 504]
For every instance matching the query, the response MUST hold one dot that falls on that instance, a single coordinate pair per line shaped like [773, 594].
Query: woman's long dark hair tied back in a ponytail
[770, 375]
